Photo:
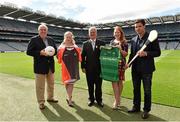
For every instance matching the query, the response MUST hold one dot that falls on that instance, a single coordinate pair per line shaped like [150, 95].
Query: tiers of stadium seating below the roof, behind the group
[15, 34]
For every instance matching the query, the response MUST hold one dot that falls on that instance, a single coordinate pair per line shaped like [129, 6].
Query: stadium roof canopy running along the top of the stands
[27, 14]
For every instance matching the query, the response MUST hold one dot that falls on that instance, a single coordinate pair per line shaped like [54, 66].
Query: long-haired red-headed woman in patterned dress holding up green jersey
[121, 43]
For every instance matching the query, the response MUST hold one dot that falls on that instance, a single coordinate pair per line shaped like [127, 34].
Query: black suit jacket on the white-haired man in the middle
[90, 57]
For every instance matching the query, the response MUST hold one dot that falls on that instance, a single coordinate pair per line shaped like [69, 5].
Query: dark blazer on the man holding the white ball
[42, 64]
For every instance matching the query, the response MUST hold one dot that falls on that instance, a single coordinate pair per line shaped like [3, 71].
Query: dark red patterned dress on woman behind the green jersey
[122, 62]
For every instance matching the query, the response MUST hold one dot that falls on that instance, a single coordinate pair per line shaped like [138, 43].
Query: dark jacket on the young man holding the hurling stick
[144, 64]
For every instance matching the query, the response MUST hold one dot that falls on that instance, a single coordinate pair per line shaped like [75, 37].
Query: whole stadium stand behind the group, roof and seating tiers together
[18, 25]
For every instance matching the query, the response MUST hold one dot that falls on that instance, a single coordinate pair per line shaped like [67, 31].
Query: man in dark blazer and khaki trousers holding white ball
[43, 65]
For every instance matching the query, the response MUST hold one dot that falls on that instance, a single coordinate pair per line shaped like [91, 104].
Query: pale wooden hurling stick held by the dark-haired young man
[152, 36]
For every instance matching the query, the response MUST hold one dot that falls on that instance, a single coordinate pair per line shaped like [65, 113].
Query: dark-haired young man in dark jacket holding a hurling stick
[143, 67]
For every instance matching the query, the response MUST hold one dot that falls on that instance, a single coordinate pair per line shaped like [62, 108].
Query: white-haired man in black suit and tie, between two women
[91, 66]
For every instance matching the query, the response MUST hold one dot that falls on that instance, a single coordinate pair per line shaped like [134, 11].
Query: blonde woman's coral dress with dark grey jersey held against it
[69, 57]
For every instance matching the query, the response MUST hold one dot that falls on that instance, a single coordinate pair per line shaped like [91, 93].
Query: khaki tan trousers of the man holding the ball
[40, 86]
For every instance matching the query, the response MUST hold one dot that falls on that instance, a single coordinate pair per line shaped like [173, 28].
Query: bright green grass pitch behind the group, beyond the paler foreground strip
[165, 85]
